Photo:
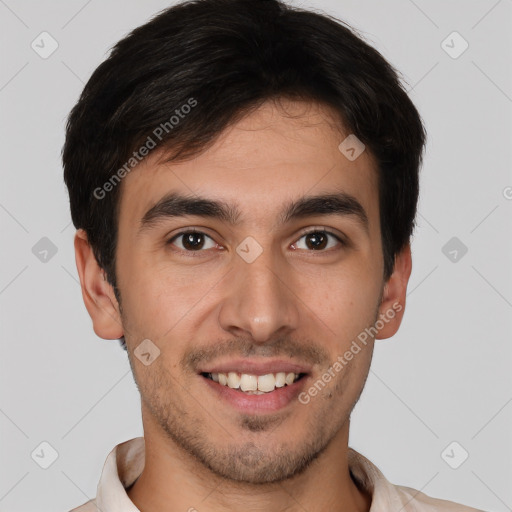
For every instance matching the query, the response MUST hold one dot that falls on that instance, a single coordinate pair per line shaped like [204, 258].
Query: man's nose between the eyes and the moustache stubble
[259, 299]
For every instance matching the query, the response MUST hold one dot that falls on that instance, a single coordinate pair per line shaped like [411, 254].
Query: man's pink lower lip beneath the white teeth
[267, 402]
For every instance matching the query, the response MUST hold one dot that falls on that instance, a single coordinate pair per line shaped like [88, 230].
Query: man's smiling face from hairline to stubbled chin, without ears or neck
[260, 279]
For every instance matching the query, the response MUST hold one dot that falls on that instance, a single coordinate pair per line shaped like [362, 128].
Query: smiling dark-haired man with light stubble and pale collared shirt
[243, 177]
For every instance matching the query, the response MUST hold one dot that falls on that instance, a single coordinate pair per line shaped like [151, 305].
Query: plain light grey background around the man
[444, 377]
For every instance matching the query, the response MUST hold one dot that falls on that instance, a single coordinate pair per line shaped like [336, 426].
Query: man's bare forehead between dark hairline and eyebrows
[273, 155]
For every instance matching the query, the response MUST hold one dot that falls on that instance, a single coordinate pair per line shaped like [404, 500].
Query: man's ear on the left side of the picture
[97, 292]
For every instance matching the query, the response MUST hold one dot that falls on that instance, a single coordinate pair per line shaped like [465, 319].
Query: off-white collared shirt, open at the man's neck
[125, 463]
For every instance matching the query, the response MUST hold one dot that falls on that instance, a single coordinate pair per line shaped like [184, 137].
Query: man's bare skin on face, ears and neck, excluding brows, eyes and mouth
[292, 302]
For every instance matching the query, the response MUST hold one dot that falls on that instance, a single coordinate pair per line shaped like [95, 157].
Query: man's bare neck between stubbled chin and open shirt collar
[173, 480]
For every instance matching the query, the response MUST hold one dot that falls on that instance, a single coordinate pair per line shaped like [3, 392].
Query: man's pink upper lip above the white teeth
[256, 367]
